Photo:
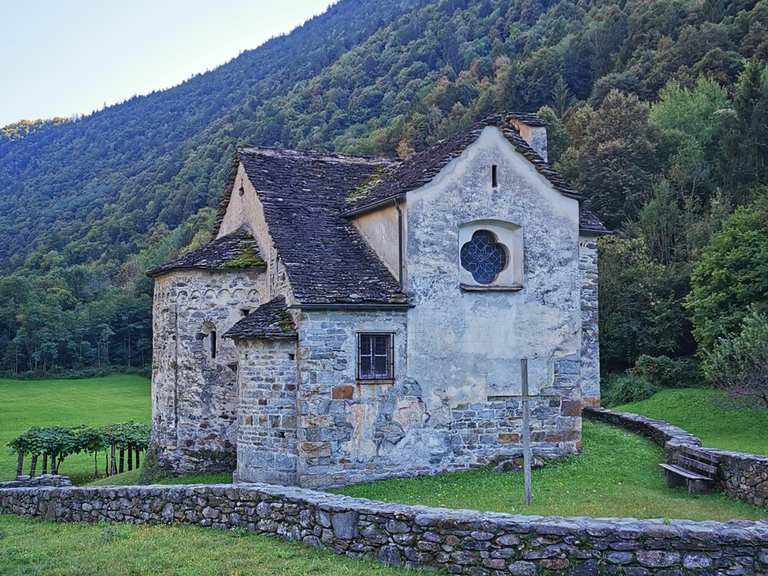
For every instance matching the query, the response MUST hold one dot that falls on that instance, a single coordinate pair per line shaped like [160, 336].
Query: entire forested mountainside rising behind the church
[657, 112]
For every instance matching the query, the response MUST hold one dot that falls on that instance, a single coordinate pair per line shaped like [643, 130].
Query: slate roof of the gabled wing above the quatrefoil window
[422, 167]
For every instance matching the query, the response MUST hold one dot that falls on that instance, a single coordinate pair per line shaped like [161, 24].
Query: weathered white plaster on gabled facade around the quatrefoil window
[465, 346]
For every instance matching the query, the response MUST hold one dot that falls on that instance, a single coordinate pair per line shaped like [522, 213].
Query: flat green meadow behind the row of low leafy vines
[93, 401]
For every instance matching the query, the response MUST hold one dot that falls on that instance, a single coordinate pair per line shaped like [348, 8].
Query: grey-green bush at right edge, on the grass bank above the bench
[738, 364]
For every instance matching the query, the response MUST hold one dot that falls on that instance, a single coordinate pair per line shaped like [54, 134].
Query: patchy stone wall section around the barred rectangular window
[350, 431]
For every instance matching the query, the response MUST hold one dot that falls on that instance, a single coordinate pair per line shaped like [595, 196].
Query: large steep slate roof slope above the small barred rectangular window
[326, 258]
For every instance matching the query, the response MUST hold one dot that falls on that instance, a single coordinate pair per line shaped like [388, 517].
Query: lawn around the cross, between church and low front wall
[616, 475]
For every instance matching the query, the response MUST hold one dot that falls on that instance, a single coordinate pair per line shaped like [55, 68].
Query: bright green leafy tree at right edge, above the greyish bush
[730, 276]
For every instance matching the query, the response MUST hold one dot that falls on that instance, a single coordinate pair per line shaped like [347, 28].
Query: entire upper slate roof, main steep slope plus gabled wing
[309, 197]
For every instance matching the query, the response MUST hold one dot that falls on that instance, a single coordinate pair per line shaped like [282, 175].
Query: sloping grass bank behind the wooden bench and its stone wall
[711, 416]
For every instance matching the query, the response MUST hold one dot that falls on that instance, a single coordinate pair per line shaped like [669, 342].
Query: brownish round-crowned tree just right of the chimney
[612, 157]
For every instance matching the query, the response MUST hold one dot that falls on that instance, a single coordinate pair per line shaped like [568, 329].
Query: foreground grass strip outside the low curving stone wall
[31, 547]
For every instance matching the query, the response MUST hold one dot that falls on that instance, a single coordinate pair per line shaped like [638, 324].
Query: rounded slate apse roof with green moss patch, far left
[217, 255]
